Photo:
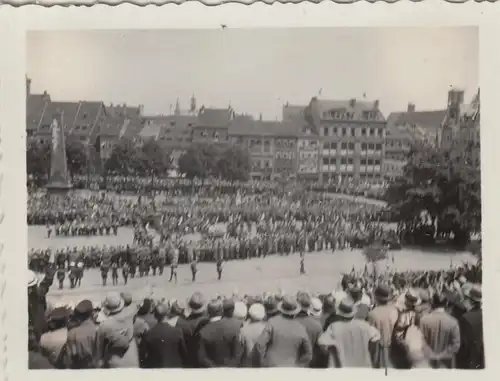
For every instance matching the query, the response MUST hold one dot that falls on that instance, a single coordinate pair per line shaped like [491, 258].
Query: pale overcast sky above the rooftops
[256, 71]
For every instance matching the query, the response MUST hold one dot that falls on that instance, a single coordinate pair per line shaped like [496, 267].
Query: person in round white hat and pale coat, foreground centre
[251, 331]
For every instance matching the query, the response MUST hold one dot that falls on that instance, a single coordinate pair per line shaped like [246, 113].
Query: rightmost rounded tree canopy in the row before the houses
[210, 160]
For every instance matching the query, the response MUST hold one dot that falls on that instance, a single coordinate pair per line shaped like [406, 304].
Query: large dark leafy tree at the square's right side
[438, 194]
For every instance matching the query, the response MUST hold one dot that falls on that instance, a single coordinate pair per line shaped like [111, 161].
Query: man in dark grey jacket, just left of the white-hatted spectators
[219, 344]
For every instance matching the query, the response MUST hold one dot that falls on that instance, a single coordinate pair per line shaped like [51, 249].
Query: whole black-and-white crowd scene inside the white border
[254, 198]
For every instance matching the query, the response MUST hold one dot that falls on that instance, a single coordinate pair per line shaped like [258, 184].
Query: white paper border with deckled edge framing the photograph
[14, 22]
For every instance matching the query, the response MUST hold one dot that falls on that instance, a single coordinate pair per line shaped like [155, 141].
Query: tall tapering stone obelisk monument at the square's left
[59, 181]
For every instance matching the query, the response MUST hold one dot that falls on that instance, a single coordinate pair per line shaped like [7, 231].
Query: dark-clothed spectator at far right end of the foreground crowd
[471, 353]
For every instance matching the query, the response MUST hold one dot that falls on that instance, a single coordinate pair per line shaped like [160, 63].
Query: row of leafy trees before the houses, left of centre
[149, 159]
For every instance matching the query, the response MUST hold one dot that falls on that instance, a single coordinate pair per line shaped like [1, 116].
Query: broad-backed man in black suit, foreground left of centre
[163, 346]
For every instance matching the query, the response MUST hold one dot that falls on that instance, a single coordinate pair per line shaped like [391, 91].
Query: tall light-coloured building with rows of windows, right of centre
[352, 135]
